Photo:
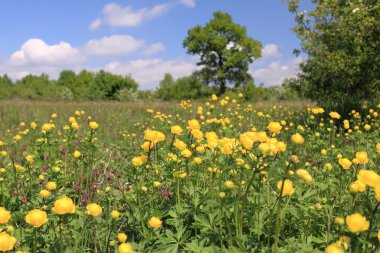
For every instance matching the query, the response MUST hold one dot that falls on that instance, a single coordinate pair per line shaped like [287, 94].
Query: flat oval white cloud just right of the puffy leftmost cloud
[113, 45]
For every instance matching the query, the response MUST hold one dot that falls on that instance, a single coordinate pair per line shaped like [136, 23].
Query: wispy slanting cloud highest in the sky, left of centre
[116, 15]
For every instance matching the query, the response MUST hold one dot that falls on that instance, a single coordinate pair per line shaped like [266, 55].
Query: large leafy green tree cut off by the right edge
[341, 40]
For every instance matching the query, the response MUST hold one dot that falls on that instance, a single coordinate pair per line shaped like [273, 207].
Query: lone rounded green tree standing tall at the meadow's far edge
[225, 51]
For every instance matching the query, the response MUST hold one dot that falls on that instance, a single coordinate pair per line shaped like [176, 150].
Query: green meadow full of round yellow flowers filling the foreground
[218, 176]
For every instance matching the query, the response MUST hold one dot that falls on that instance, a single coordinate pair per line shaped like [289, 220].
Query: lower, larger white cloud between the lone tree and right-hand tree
[274, 73]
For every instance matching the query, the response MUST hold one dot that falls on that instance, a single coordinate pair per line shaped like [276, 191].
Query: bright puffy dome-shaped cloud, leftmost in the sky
[36, 51]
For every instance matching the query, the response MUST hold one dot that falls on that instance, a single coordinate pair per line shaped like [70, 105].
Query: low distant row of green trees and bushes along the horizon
[103, 85]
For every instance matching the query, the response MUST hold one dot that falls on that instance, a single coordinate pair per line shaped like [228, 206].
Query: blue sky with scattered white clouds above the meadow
[142, 38]
